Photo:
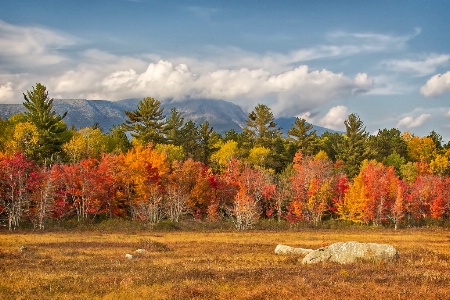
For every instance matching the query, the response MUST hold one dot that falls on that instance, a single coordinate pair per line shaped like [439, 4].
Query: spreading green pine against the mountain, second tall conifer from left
[147, 123]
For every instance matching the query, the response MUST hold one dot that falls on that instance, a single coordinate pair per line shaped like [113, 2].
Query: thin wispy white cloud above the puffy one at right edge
[421, 67]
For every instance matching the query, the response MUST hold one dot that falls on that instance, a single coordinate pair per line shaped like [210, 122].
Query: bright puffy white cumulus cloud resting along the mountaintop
[291, 92]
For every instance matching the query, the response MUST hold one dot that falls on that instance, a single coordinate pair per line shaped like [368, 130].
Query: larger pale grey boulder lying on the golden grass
[349, 252]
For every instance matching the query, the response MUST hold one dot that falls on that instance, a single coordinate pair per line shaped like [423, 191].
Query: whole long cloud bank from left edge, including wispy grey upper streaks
[278, 80]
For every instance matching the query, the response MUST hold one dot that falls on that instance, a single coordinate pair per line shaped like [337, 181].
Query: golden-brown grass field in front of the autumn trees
[218, 265]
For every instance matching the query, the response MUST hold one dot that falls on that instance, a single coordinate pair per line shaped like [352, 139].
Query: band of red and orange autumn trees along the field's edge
[142, 184]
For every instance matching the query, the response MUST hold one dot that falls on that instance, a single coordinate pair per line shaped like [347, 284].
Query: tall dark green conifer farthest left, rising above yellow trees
[51, 127]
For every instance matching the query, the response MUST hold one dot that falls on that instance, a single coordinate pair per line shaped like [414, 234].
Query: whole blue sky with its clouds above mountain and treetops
[386, 61]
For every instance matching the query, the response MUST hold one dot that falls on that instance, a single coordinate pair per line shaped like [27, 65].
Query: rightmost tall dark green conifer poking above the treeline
[352, 150]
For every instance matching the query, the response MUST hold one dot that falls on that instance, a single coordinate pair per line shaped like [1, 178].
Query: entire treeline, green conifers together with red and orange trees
[175, 169]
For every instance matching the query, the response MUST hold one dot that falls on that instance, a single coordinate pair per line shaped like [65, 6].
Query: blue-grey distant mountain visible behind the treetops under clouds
[221, 115]
